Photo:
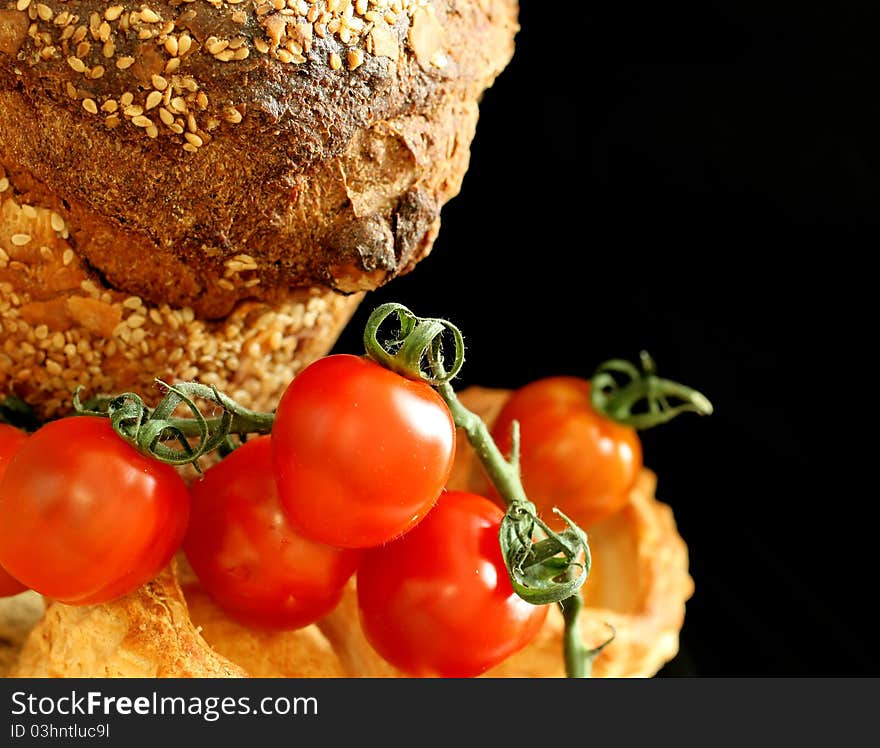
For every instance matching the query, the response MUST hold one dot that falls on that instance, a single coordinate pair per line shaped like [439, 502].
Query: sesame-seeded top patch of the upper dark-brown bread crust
[143, 67]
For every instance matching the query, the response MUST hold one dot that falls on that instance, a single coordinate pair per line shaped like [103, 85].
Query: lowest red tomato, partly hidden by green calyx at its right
[438, 601]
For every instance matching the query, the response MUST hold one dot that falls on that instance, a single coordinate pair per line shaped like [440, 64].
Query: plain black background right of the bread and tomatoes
[700, 179]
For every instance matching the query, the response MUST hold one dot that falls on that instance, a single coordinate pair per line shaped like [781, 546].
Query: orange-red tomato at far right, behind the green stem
[571, 456]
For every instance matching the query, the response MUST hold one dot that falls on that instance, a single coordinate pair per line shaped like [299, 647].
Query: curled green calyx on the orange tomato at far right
[642, 400]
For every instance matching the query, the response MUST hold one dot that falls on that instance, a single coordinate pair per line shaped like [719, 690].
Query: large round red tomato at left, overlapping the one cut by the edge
[85, 517]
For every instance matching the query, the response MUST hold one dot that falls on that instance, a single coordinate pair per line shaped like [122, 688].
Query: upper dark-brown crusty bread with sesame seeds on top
[211, 151]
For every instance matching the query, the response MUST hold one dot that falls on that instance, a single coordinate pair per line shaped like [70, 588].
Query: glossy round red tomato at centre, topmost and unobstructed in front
[360, 453]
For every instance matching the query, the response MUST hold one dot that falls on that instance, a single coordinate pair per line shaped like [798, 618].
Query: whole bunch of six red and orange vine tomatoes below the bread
[351, 479]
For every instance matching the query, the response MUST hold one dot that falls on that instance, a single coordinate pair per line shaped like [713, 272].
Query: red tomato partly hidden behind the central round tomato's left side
[248, 557]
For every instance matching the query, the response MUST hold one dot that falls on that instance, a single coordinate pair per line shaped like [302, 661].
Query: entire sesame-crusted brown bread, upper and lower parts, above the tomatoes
[203, 189]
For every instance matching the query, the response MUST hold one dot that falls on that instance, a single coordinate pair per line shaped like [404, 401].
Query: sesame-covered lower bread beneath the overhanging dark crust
[60, 327]
